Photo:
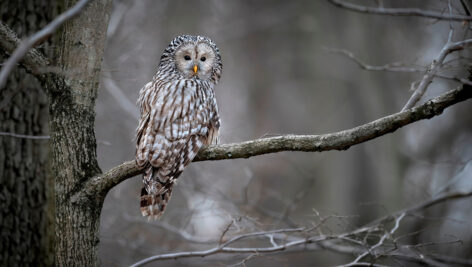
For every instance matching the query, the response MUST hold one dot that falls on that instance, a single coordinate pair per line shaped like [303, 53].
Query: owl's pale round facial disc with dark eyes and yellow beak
[195, 60]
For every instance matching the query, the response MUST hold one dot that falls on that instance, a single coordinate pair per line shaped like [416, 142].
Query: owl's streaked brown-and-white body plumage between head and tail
[179, 120]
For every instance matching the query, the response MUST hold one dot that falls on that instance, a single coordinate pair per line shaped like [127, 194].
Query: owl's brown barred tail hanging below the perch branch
[154, 198]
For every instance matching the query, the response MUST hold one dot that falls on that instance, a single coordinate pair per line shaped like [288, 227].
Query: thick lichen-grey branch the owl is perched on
[99, 185]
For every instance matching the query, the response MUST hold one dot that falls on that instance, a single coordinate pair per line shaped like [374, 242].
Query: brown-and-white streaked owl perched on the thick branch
[178, 116]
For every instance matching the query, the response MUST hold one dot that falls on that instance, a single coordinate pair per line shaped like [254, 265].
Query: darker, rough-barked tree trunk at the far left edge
[25, 217]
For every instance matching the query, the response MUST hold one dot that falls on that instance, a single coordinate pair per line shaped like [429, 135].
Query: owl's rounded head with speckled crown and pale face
[193, 57]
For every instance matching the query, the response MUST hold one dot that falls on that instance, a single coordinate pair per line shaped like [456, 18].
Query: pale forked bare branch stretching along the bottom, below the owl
[333, 242]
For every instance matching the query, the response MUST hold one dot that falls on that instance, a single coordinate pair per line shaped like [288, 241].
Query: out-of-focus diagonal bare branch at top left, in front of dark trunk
[35, 39]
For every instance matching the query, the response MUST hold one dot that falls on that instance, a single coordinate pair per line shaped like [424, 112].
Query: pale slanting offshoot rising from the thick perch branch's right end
[433, 69]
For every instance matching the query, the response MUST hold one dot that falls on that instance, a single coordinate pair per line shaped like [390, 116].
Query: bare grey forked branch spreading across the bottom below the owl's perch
[324, 241]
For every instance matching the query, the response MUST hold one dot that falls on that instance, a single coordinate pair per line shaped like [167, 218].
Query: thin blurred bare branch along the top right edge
[399, 11]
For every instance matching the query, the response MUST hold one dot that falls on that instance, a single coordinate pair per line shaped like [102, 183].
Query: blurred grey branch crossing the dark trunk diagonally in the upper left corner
[23, 48]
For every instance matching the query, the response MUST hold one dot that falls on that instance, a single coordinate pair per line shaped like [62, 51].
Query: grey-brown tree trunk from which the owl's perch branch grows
[73, 146]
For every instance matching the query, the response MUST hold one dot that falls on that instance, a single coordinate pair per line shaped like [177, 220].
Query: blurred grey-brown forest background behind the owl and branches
[279, 77]
